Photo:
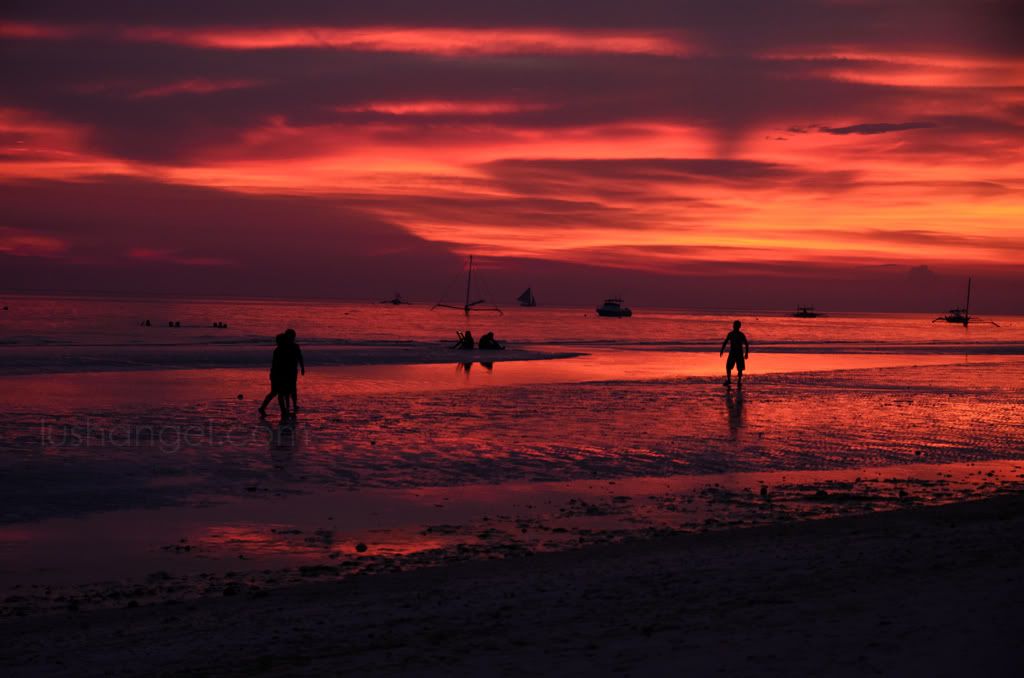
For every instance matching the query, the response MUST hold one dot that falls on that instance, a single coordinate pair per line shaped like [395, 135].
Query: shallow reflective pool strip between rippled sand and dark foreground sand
[224, 534]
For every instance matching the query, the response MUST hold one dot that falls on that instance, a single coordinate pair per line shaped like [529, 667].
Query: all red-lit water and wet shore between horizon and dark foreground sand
[121, 458]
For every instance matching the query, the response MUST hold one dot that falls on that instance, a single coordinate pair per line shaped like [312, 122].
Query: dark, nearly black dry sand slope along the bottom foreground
[922, 592]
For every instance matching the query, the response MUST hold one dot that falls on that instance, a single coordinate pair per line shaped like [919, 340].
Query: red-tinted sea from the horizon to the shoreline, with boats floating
[33, 321]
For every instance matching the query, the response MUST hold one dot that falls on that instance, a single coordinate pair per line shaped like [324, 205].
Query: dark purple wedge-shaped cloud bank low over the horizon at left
[264, 245]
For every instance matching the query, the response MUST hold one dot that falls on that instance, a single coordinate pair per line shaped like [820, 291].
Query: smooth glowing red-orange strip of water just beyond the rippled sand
[54, 393]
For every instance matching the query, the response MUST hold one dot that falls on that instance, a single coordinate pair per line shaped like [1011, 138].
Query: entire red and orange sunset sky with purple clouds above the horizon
[856, 154]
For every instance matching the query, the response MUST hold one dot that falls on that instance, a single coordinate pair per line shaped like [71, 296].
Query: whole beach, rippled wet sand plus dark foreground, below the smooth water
[815, 522]
